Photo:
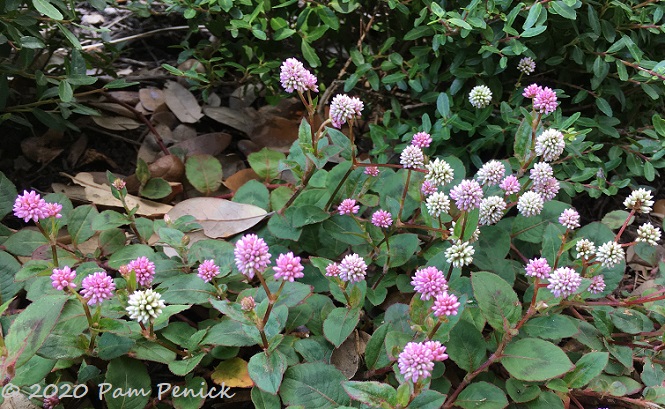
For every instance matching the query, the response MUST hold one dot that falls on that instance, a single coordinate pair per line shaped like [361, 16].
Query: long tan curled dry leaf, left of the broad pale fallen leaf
[100, 194]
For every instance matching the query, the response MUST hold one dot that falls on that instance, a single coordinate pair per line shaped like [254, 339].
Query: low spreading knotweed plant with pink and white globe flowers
[446, 287]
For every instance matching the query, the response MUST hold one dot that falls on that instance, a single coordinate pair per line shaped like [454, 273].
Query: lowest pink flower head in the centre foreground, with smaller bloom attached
[417, 359]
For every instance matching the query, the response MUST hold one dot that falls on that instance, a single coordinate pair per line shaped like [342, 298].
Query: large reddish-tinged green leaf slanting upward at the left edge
[31, 328]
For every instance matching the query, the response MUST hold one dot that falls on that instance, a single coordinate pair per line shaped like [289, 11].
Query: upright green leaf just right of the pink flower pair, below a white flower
[497, 300]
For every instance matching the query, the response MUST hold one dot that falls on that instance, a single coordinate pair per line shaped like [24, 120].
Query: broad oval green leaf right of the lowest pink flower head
[532, 359]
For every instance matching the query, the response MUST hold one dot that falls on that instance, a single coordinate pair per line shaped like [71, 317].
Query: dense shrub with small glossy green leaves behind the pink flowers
[607, 59]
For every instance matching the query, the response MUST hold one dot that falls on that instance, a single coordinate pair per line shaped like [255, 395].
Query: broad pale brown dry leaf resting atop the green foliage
[219, 217]
